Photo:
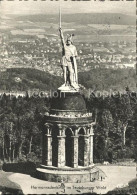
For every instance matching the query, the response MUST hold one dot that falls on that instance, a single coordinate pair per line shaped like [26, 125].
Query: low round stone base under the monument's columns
[67, 174]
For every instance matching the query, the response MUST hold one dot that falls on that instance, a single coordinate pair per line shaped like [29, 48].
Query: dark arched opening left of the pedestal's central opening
[55, 133]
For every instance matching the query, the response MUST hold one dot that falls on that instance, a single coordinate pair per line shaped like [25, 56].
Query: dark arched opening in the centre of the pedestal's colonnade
[68, 147]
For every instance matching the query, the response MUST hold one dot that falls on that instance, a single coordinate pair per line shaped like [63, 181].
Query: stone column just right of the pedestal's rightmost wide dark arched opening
[86, 150]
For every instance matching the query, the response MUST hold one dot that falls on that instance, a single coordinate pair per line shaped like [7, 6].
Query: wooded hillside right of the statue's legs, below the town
[108, 79]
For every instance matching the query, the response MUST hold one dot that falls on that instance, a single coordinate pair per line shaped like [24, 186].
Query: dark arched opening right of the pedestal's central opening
[81, 147]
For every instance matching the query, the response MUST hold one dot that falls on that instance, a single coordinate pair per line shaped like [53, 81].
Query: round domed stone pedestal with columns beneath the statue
[69, 141]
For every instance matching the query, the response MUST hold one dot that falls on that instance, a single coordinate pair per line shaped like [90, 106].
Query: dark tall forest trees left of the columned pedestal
[20, 133]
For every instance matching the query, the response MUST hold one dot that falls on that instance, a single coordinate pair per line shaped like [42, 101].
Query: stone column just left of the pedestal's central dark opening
[61, 151]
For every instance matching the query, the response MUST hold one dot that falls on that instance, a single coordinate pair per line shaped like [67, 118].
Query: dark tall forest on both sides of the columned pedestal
[115, 129]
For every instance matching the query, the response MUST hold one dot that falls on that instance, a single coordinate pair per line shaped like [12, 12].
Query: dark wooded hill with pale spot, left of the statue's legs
[27, 79]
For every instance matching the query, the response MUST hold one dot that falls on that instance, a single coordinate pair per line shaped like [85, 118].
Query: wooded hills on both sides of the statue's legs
[97, 79]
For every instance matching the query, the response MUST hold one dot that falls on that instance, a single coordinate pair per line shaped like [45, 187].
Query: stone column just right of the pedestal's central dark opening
[75, 151]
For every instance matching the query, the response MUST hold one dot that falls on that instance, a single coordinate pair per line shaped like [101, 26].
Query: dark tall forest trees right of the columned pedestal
[116, 126]
